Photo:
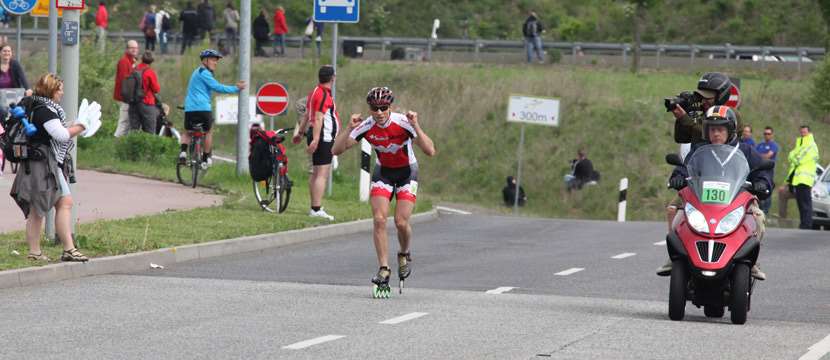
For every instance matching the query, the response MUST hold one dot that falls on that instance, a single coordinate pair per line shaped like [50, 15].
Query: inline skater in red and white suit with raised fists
[392, 135]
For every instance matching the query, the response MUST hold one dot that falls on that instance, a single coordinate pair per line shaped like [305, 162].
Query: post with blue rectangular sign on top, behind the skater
[335, 11]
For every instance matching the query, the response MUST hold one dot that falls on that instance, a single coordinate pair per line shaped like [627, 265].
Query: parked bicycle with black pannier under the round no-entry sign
[273, 193]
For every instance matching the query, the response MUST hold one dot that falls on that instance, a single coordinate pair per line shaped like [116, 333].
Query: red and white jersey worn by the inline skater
[392, 141]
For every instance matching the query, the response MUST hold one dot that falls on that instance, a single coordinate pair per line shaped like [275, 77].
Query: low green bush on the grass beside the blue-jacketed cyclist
[140, 146]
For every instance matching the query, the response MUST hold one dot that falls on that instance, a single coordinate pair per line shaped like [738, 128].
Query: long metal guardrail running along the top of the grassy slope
[478, 45]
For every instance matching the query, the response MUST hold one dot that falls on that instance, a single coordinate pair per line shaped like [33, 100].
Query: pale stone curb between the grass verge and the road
[169, 256]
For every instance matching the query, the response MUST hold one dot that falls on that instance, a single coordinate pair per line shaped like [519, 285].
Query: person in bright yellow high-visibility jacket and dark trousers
[800, 178]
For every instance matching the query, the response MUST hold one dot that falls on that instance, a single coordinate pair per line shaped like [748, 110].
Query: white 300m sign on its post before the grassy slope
[529, 110]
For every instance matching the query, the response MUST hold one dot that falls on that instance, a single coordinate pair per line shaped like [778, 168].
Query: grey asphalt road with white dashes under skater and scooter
[483, 287]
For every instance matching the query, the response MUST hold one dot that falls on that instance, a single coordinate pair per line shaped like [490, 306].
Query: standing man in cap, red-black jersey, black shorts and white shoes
[324, 121]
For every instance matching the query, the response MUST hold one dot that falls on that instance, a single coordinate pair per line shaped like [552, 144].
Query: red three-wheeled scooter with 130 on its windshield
[713, 245]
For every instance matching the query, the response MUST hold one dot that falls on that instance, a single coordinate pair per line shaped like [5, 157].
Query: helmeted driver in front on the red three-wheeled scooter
[720, 127]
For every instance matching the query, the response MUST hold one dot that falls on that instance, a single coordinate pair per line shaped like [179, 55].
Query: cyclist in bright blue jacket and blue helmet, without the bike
[198, 104]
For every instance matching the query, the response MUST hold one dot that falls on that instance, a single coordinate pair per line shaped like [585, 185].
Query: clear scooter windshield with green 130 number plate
[717, 173]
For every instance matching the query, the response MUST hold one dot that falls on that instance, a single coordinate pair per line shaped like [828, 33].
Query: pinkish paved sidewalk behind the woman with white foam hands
[100, 195]
